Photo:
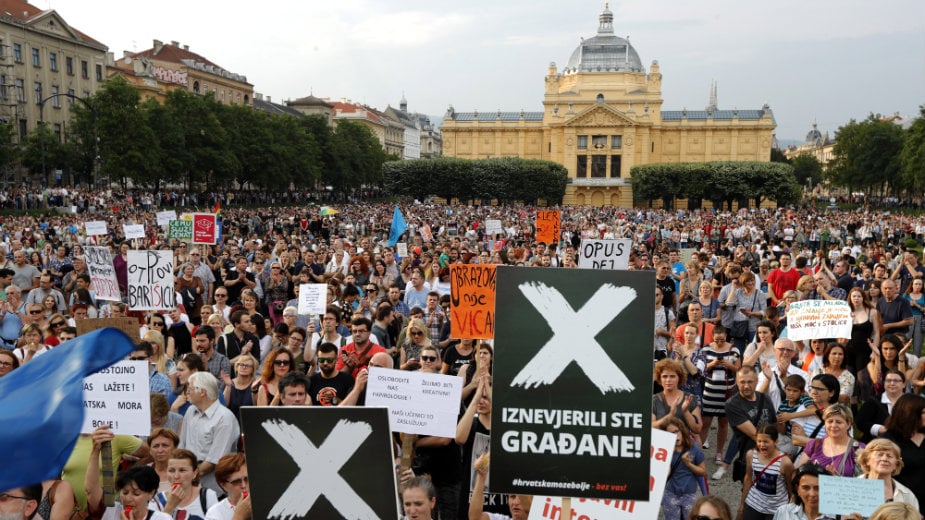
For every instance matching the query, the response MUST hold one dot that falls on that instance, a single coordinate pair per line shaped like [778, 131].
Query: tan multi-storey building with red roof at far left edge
[43, 60]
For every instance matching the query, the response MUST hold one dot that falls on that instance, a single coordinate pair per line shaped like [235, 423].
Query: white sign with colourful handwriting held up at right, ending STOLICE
[811, 319]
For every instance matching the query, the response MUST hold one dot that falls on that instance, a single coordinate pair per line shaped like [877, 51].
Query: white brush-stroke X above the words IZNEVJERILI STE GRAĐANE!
[573, 337]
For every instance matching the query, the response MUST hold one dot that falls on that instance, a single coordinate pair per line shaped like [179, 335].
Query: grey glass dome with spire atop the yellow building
[604, 52]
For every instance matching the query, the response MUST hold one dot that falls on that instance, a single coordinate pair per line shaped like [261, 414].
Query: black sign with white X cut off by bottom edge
[320, 462]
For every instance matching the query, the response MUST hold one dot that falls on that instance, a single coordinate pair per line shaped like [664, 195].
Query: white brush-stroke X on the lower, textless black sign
[319, 469]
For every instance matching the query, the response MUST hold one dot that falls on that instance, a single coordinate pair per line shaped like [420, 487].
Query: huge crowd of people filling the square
[785, 411]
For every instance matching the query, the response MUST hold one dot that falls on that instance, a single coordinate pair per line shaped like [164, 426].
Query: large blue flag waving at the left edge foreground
[42, 410]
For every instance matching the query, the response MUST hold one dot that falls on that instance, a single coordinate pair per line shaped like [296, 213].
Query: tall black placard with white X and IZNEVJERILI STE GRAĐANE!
[572, 383]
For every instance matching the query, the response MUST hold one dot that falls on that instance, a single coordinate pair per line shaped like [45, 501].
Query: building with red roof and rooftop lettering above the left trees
[166, 67]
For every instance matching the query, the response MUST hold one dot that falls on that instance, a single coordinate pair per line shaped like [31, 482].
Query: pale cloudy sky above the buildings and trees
[824, 61]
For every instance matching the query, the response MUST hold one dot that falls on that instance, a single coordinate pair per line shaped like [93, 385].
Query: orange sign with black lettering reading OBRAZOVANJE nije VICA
[472, 301]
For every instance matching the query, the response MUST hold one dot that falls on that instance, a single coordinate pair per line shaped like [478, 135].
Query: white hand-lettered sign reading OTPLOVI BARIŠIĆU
[150, 280]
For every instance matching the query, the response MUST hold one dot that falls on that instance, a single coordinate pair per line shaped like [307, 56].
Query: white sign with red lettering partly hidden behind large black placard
[550, 508]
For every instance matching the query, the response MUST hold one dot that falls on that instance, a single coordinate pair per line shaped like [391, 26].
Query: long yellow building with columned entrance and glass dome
[602, 115]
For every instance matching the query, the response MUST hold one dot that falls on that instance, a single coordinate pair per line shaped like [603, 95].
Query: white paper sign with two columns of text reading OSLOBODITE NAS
[418, 402]
